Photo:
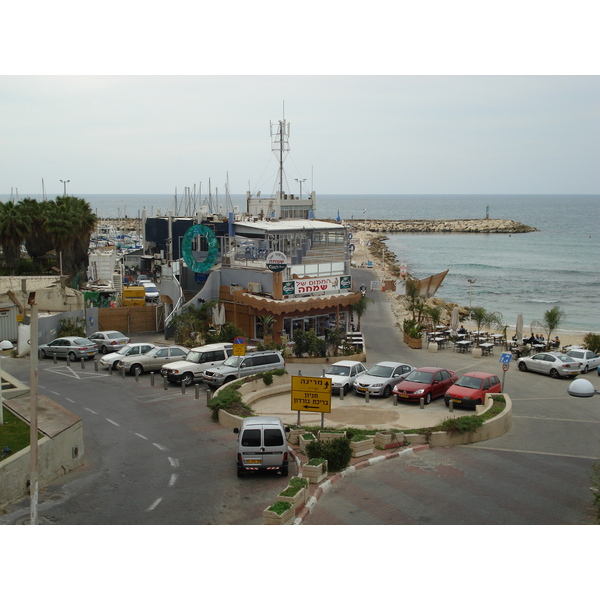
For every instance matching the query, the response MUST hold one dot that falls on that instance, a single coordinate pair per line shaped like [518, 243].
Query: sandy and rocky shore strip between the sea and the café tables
[567, 337]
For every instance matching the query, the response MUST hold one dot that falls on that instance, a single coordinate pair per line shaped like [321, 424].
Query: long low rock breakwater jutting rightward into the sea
[442, 226]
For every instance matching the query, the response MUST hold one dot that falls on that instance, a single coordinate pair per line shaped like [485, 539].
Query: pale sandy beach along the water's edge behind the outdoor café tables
[363, 254]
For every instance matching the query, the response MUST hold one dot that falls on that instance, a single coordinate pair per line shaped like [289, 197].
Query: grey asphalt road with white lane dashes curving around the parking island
[155, 457]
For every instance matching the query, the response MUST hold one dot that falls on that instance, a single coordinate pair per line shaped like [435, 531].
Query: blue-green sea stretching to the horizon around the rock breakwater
[528, 273]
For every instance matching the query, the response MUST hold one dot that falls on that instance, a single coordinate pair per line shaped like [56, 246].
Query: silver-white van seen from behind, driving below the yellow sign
[262, 445]
